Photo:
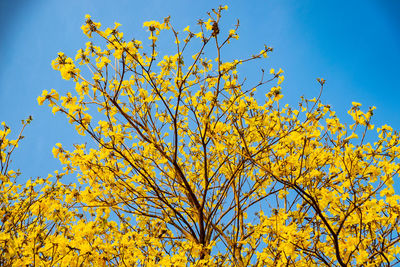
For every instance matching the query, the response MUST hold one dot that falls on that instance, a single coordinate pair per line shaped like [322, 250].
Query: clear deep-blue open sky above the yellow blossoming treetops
[354, 45]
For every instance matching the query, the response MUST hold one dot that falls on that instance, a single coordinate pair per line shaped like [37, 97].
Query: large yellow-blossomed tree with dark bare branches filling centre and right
[182, 165]
